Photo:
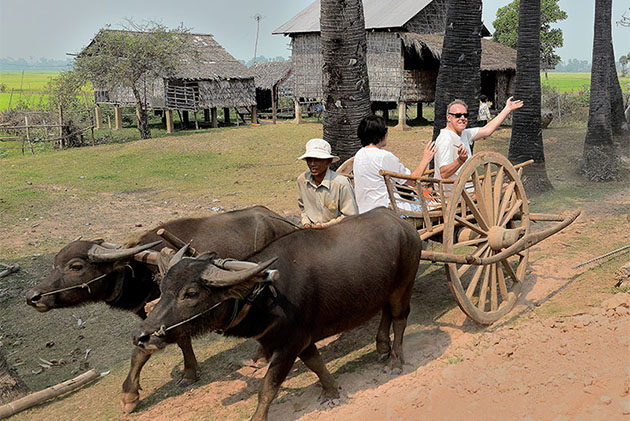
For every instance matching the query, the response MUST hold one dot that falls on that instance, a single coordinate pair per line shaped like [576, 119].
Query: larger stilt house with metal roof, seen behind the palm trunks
[404, 44]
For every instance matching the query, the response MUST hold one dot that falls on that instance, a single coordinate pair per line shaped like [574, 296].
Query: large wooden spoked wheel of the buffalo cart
[495, 214]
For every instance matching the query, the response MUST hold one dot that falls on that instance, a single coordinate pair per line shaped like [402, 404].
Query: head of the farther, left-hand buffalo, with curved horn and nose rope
[82, 272]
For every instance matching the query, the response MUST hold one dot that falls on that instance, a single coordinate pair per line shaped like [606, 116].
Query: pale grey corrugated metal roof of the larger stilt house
[379, 14]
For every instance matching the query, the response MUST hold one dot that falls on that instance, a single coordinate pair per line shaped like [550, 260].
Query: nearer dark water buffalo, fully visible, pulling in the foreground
[327, 281]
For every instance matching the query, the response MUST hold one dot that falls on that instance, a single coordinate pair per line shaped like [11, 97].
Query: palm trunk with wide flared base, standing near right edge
[599, 161]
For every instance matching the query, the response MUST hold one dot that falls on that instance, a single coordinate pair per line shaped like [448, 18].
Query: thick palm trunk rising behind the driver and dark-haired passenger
[345, 83]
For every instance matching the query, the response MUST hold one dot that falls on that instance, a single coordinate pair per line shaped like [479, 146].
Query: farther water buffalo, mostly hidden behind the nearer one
[113, 276]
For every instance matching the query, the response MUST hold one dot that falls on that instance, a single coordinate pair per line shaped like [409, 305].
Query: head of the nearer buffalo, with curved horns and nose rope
[197, 296]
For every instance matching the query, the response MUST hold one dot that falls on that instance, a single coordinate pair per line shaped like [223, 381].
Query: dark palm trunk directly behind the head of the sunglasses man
[459, 76]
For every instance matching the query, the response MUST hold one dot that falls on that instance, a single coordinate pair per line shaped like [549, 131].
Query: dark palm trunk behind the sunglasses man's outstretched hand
[526, 142]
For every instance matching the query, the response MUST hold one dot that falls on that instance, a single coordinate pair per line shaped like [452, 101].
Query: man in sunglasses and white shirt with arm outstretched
[453, 144]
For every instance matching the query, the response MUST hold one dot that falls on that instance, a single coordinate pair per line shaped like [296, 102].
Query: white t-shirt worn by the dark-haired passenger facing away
[369, 186]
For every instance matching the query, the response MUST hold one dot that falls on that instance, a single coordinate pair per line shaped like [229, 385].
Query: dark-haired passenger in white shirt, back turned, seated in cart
[370, 187]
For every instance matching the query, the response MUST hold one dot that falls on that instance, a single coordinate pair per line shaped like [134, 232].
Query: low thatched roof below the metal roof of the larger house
[494, 56]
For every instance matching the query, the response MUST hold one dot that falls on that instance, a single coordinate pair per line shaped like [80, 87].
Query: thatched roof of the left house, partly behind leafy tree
[211, 62]
